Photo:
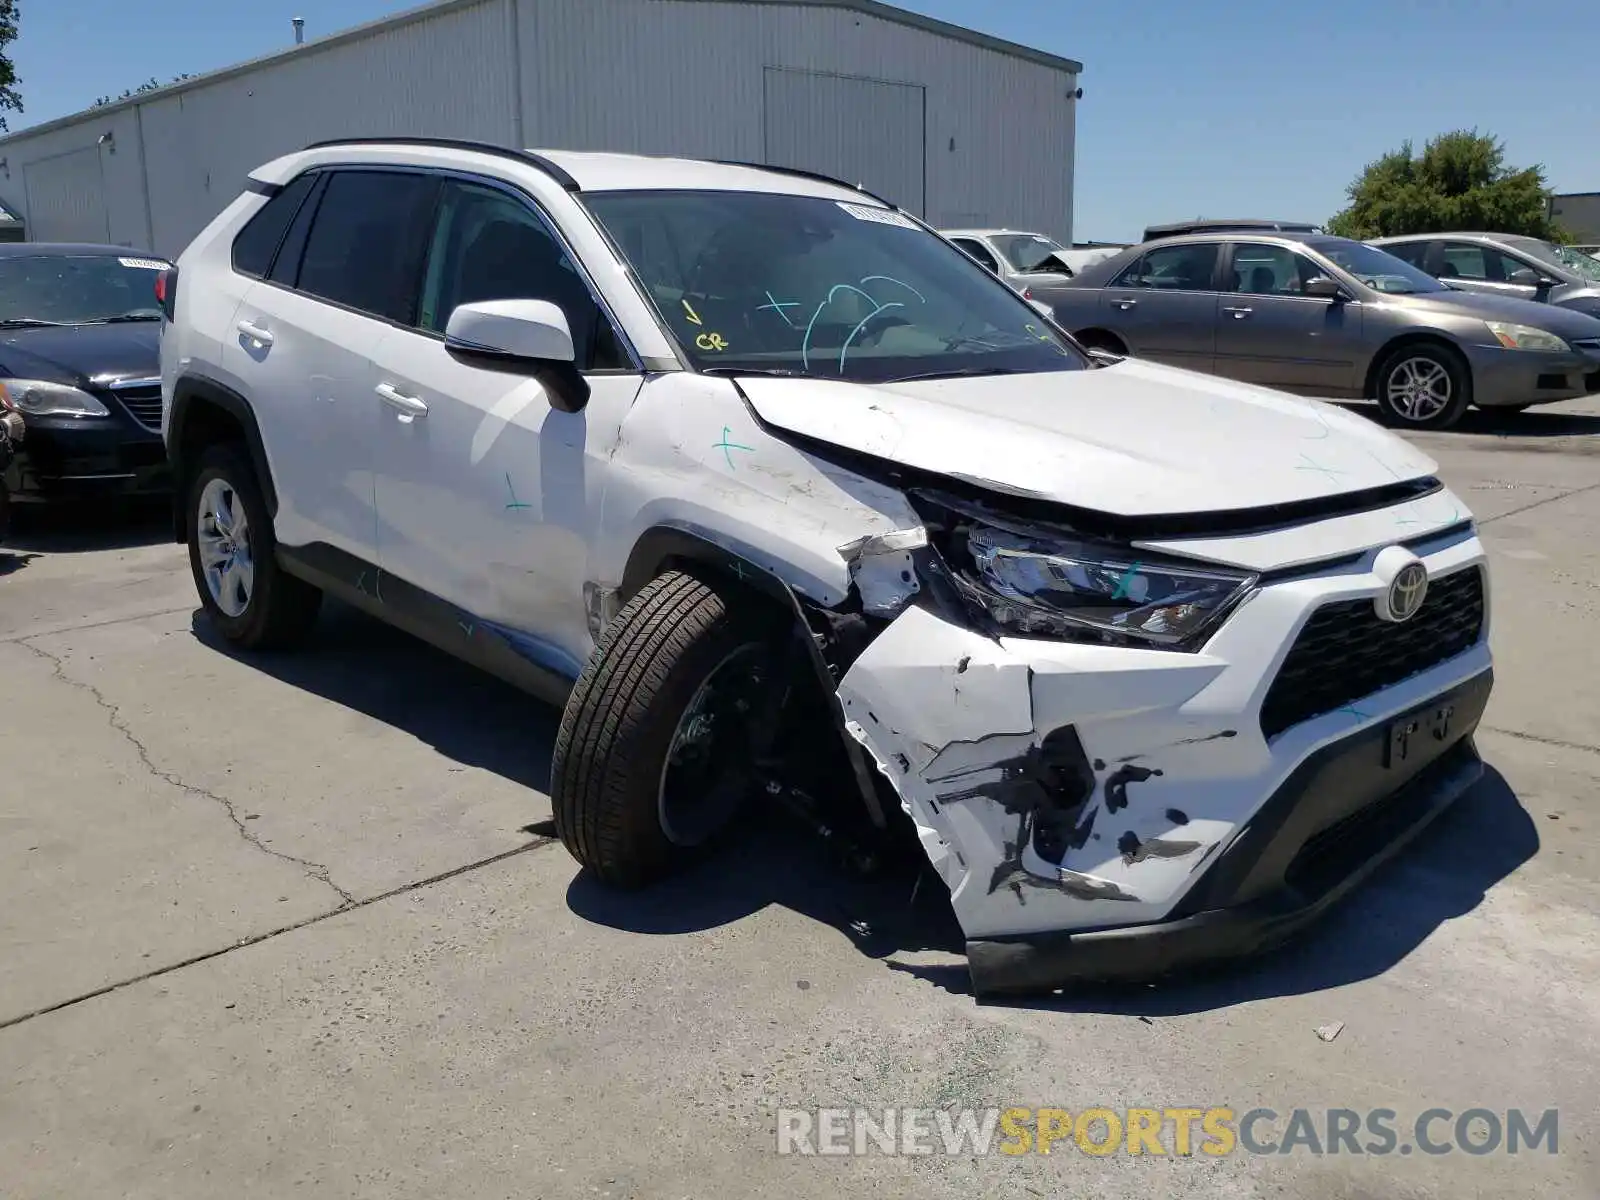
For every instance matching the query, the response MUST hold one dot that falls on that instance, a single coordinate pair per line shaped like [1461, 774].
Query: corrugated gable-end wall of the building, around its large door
[689, 78]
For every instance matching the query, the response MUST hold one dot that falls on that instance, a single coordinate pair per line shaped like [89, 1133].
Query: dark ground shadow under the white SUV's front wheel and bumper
[1442, 876]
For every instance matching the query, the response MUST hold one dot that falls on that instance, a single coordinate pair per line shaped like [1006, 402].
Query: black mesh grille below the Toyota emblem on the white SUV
[1346, 652]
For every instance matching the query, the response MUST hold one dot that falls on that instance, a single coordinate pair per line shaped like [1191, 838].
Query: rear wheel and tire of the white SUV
[233, 553]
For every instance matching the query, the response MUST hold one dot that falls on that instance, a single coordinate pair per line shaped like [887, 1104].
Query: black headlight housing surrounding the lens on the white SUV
[954, 524]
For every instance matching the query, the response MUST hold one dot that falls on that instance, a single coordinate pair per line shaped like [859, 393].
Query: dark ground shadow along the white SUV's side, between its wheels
[465, 714]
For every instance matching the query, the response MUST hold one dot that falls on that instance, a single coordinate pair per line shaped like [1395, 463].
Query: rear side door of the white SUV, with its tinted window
[303, 348]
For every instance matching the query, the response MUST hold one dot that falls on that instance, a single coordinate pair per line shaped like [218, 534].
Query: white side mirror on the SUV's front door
[521, 335]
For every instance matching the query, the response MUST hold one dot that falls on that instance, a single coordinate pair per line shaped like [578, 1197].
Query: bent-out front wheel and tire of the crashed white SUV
[654, 756]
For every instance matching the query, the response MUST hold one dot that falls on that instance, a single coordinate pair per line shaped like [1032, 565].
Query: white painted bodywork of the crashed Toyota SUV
[519, 514]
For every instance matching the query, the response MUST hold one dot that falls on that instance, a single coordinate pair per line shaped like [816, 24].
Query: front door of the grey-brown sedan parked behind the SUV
[1270, 332]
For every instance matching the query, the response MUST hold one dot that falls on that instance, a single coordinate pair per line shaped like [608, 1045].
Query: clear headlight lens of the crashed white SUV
[1058, 588]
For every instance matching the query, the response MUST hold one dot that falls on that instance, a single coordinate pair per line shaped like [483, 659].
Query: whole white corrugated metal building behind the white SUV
[959, 127]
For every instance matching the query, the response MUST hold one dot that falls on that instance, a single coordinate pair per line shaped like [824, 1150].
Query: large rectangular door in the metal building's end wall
[815, 122]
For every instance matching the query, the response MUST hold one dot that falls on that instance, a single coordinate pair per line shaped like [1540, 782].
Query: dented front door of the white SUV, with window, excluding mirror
[489, 497]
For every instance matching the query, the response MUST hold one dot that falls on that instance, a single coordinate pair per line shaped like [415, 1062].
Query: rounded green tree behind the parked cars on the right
[1460, 182]
